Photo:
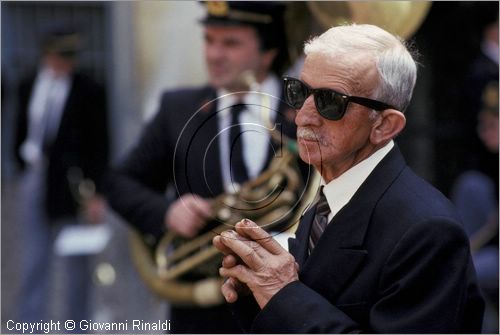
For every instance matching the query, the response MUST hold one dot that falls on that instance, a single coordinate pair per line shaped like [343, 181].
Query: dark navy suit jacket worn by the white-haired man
[395, 259]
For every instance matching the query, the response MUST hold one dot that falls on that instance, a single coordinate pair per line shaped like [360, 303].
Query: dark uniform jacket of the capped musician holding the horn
[179, 150]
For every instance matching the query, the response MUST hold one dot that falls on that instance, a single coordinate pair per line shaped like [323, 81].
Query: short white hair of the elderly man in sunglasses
[396, 67]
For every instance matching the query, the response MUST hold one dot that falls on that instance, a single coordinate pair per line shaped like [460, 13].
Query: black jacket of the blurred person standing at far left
[81, 141]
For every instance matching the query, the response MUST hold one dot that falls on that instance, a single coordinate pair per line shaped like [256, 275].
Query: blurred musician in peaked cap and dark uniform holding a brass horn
[188, 131]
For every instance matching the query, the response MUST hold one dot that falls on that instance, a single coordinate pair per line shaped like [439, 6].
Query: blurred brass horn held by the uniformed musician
[271, 200]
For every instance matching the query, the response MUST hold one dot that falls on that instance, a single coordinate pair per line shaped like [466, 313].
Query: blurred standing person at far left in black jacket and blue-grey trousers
[61, 135]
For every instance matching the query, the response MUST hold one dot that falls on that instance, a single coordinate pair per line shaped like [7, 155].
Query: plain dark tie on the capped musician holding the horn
[237, 164]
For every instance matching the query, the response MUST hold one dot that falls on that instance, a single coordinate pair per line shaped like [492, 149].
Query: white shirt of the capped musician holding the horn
[255, 121]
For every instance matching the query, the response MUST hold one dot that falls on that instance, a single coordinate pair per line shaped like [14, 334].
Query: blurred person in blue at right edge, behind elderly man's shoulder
[475, 193]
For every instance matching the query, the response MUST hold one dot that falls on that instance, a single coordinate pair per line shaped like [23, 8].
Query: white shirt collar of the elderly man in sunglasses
[340, 190]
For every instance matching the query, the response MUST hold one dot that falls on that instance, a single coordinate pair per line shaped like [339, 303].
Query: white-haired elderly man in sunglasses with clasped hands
[381, 250]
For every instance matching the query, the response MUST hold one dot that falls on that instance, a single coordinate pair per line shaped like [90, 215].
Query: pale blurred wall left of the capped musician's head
[155, 45]
